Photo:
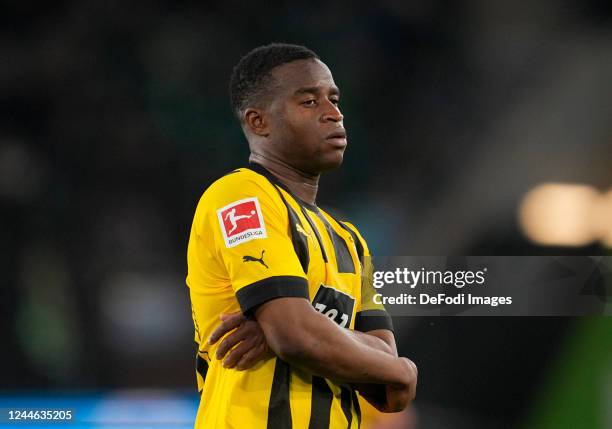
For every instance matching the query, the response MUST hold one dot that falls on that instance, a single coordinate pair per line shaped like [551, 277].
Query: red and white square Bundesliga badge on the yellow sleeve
[241, 221]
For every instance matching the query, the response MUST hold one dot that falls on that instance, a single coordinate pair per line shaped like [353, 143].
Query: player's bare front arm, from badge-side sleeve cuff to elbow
[302, 336]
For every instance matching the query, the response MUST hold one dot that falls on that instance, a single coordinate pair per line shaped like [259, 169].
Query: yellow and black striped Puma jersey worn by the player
[251, 241]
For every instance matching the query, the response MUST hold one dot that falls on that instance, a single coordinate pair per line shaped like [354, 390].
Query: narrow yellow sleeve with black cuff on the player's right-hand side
[370, 315]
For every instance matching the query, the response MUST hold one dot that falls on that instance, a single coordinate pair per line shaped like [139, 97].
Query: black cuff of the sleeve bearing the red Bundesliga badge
[252, 296]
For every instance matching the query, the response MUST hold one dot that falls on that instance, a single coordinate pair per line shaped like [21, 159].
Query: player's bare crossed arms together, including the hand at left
[293, 330]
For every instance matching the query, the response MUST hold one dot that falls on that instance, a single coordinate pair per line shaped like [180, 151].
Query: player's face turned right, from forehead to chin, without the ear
[306, 128]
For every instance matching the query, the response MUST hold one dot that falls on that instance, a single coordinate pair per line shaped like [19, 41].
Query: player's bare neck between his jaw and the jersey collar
[303, 185]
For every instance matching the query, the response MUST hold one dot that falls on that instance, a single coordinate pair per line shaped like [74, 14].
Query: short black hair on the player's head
[251, 76]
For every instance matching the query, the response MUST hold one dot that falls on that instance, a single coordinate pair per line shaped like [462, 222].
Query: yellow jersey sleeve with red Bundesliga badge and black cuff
[247, 228]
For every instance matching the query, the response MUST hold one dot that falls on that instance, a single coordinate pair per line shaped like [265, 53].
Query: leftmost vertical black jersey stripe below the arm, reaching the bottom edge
[279, 409]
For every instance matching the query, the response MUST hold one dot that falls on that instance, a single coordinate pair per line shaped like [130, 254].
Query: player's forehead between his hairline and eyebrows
[302, 74]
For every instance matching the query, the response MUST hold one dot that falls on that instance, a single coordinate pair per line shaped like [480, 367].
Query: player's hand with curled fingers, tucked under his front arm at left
[246, 344]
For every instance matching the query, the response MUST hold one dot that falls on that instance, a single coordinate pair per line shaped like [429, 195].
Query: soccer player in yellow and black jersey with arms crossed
[261, 246]
